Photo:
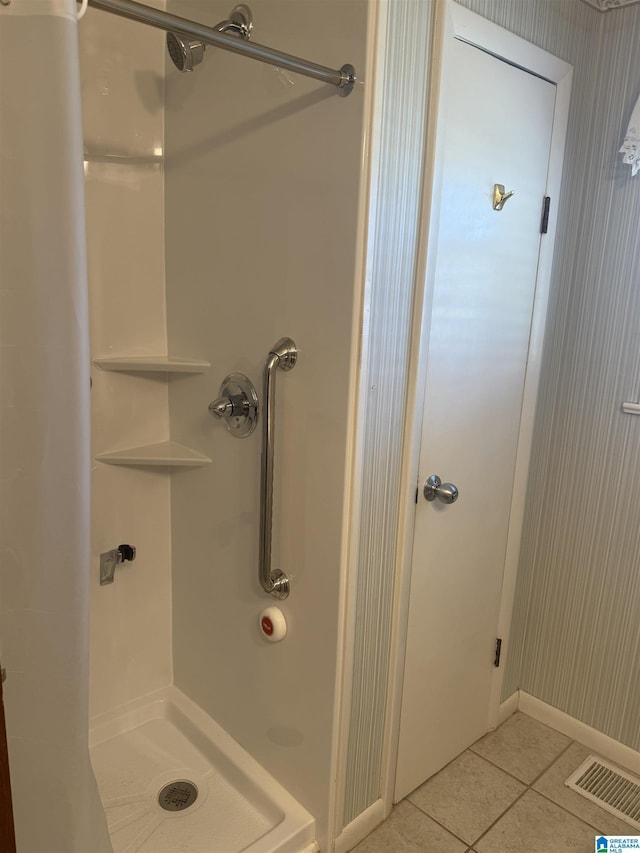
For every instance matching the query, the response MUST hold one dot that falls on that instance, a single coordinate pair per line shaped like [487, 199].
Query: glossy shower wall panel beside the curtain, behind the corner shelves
[122, 91]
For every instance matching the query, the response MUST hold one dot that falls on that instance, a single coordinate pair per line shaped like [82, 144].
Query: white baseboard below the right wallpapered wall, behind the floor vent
[604, 745]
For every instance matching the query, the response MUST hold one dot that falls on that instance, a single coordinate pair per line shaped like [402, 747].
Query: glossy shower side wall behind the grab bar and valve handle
[261, 214]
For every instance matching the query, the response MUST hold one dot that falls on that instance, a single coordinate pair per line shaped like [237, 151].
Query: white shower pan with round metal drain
[163, 749]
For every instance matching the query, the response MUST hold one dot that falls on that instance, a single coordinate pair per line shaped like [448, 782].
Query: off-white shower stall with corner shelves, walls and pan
[222, 216]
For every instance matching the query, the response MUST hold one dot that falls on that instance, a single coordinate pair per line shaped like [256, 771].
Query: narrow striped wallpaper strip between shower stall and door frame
[387, 326]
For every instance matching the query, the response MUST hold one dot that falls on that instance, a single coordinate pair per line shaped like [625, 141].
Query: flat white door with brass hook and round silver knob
[498, 122]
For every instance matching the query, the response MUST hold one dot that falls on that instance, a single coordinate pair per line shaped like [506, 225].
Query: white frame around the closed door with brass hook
[451, 22]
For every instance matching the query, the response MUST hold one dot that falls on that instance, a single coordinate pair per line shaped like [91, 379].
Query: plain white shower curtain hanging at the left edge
[44, 432]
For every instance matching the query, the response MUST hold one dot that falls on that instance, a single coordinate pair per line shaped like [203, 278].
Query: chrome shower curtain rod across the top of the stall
[344, 78]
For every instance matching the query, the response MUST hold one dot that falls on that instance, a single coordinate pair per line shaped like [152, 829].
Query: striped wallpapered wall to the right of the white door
[575, 636]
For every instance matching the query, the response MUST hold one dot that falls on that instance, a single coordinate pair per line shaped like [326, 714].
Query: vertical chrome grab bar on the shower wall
[282, 355]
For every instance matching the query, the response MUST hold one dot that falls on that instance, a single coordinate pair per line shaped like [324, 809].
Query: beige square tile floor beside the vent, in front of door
[505, 794]
